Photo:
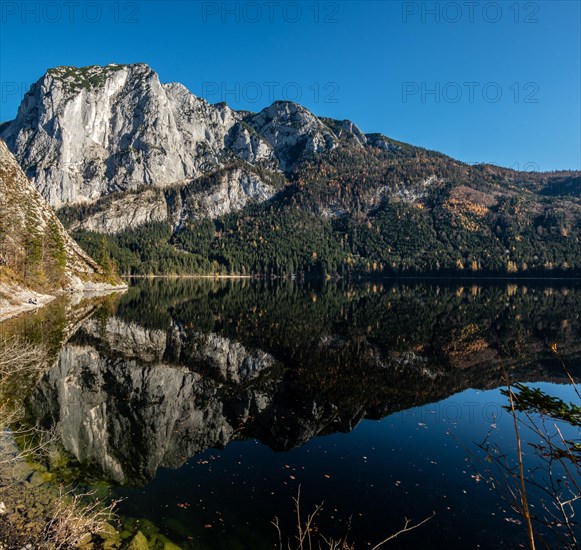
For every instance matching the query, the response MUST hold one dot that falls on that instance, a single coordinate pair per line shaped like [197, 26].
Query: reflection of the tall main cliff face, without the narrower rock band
[131, 419]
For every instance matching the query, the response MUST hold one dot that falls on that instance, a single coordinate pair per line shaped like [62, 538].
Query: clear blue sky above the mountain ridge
[479, 83]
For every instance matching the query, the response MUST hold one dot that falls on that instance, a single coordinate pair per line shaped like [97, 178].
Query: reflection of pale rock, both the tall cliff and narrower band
[131, 414]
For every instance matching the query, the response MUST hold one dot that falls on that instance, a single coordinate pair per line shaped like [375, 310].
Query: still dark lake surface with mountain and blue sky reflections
[208, 403]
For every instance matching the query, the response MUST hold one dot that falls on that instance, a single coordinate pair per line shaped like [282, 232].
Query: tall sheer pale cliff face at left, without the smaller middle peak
[83, 133]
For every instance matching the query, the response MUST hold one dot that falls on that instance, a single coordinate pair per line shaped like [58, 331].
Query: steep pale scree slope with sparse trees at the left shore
[37, 255]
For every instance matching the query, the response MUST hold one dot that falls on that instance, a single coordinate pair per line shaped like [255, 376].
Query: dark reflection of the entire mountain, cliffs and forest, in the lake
[130, 397]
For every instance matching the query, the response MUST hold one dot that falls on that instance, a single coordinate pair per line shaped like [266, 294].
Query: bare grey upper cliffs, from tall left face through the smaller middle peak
[82, 133]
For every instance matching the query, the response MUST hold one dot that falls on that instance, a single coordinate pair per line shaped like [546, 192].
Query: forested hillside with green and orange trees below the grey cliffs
[372, 211]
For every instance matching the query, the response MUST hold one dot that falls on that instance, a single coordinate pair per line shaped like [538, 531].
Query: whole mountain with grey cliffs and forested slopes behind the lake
[160, 181]
